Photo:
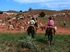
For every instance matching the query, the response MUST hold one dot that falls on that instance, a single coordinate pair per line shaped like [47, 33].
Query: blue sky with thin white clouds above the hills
[24, 5]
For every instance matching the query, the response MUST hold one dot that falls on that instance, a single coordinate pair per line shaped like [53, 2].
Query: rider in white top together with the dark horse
[31, 29]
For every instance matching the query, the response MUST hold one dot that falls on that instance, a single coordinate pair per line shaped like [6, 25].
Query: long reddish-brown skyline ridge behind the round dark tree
[48, 12]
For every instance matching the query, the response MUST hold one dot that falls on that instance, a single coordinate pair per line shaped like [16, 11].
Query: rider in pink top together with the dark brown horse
[50, 30]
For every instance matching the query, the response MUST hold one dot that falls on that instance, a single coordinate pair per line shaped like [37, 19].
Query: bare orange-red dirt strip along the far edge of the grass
[60, 30]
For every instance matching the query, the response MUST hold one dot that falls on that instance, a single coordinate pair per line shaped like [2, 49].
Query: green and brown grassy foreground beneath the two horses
[12, 42]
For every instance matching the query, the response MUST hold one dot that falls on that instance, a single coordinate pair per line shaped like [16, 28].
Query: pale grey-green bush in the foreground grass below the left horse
[27, 43]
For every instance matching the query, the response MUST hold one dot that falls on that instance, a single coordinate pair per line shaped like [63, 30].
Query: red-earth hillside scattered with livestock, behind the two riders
[60, 17]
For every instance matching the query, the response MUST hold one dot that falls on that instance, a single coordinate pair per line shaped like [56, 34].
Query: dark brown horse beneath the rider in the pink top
[50, 31]
